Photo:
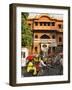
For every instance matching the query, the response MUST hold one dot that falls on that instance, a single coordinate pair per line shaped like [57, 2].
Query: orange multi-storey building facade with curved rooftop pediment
[47, 34]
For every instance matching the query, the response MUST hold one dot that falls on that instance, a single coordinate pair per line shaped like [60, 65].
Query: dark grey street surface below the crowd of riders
[46, 71]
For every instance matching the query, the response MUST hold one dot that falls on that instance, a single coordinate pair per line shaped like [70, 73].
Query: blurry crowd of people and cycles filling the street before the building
[36, 65]
